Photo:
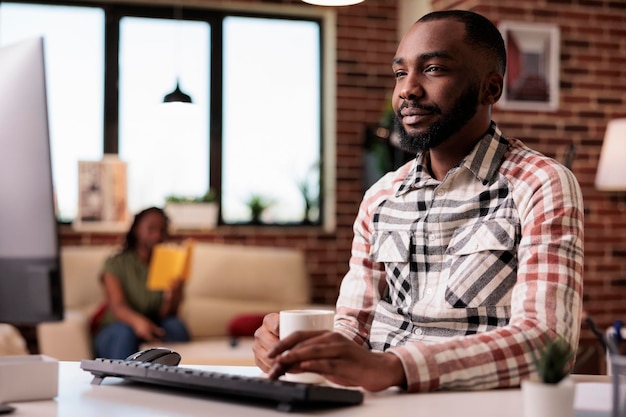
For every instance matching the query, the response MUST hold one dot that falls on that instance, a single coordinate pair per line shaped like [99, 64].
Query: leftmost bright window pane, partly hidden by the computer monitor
[75, 80]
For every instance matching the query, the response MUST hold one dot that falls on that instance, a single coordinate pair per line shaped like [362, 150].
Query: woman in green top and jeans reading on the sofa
[133, 313]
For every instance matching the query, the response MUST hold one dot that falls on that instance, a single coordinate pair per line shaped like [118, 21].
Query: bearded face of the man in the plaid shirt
[437, 84]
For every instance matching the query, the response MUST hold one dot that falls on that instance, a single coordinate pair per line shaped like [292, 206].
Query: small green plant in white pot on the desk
[551, 393]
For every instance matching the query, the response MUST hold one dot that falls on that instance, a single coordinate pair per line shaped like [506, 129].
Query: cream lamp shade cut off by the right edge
[611, 175]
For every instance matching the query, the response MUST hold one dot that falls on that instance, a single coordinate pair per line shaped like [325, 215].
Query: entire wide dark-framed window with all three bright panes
[255, 125]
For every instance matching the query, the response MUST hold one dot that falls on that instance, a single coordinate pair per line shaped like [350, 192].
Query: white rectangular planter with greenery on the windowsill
[192, 212]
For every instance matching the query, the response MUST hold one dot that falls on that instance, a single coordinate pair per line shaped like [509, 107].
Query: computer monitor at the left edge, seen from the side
[30, 276]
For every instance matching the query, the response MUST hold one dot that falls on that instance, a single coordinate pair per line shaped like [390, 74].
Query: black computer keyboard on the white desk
[286, 395]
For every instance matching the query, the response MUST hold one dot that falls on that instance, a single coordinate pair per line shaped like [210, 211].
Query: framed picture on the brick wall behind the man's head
[532, 73]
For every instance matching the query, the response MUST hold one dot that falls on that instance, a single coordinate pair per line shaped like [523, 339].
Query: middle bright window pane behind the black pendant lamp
[166, 146]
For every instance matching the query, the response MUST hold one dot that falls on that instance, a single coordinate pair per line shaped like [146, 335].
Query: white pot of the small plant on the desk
[548, 400]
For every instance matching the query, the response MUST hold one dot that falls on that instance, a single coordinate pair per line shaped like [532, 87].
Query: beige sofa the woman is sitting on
[226, 283]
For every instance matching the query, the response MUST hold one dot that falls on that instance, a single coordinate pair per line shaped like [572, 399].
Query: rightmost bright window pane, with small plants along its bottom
[271, 117]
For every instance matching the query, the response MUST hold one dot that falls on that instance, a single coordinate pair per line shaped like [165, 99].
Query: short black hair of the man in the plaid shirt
[480, 32]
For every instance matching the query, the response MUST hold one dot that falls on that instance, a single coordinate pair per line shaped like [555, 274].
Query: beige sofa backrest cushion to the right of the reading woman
[226, 281]
